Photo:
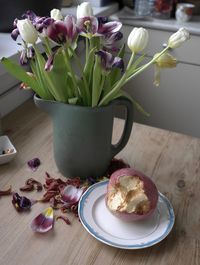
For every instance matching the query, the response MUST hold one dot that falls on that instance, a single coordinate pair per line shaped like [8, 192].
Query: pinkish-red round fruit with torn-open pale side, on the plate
[131, 195]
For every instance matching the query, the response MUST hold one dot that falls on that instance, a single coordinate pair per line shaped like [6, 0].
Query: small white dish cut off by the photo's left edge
[5, 144]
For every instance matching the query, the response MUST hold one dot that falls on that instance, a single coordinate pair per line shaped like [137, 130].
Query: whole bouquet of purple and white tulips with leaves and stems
[101, 78]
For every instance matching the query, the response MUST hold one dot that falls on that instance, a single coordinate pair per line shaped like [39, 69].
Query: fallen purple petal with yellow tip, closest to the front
[44, 221]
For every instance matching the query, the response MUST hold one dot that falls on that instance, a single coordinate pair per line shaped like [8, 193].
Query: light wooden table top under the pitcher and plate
[171, 159]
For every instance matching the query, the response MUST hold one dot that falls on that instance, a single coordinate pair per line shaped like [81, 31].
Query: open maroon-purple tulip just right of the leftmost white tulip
[62, 31]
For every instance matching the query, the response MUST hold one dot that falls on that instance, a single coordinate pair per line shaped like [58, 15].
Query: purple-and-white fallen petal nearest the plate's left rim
[71, 194]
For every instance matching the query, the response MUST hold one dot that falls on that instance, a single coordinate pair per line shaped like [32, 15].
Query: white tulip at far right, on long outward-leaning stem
[178, 38]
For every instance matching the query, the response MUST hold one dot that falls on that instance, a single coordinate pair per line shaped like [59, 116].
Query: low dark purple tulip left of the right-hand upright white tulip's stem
[109, 61]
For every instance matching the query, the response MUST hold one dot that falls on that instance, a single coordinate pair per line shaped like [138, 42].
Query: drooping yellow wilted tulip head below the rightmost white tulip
[166, 60]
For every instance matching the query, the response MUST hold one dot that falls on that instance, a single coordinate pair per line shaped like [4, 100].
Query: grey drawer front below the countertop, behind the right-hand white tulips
[188, 52]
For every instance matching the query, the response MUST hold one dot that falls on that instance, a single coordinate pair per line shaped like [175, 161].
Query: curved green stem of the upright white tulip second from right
[119, 84]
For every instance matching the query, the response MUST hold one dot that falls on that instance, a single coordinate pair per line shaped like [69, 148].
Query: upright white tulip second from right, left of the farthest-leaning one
[138, 39]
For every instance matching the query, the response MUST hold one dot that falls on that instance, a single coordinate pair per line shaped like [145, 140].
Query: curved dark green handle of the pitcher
[116, 148]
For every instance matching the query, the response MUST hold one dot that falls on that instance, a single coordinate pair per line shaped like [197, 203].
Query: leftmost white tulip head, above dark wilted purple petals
[27, 31]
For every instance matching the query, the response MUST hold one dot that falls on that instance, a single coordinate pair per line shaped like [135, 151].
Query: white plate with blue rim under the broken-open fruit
[105, 227]
